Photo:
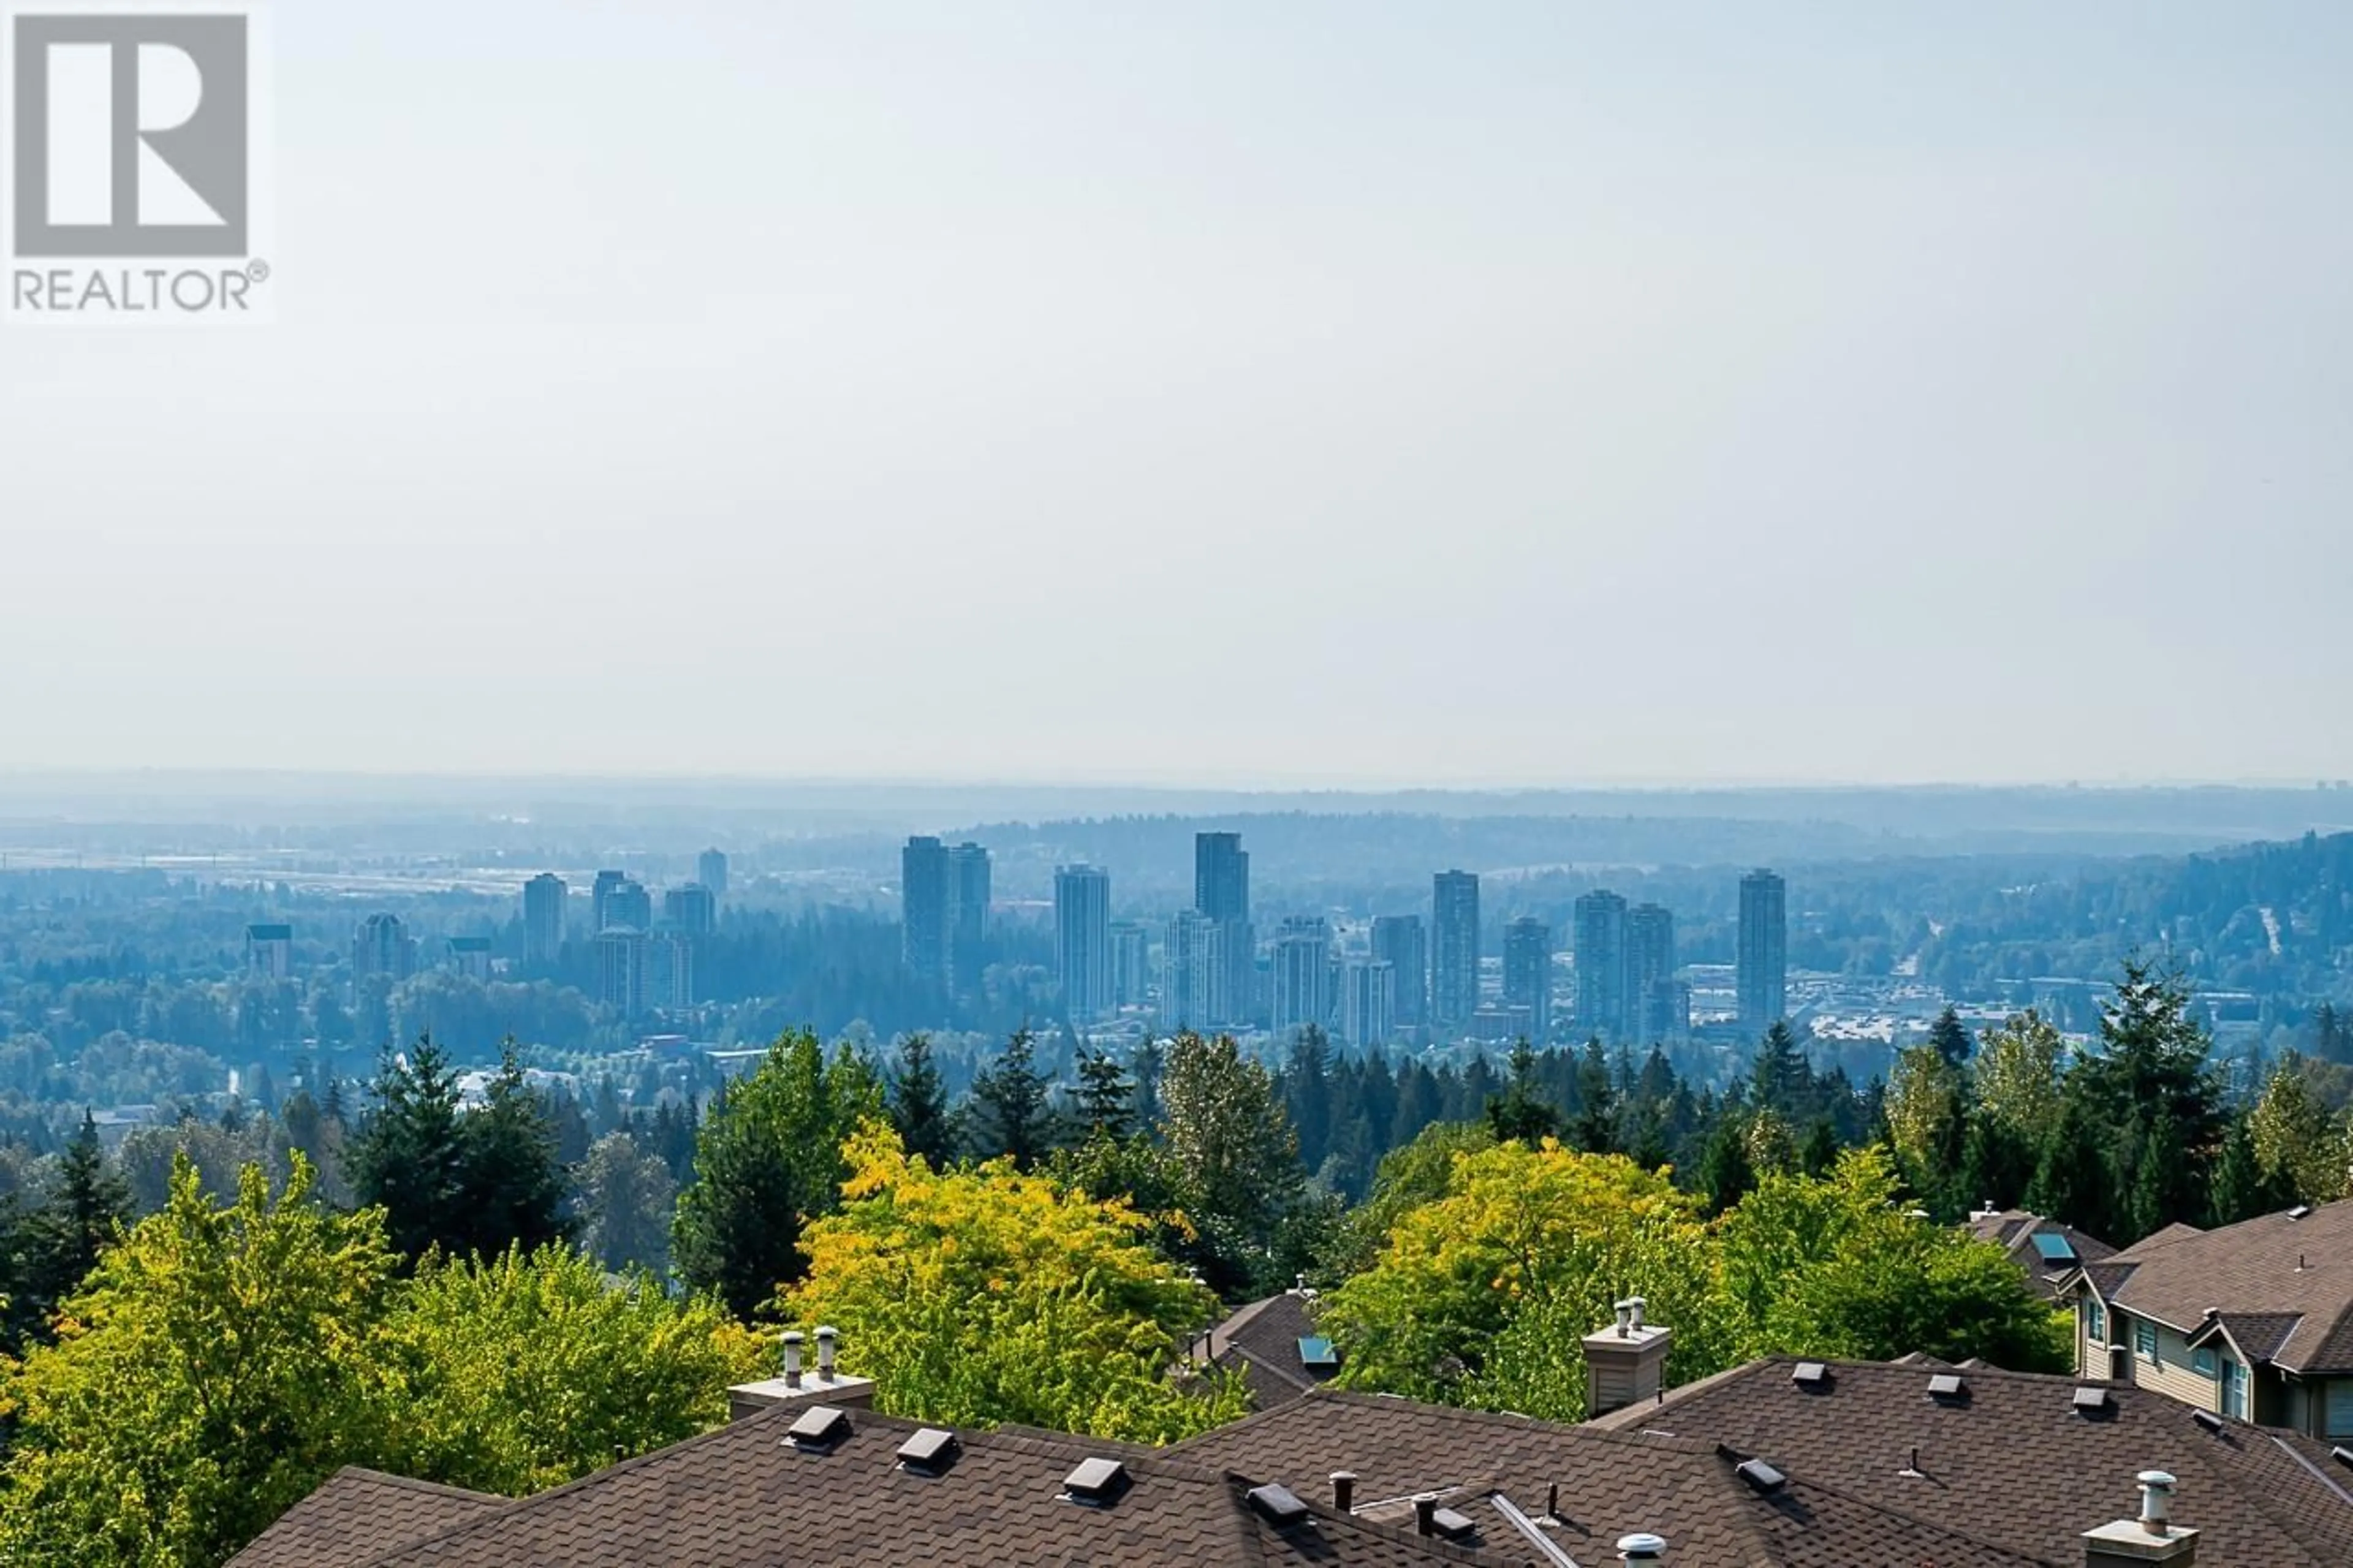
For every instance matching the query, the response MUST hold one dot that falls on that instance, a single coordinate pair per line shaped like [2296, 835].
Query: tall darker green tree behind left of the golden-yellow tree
[766, 1162]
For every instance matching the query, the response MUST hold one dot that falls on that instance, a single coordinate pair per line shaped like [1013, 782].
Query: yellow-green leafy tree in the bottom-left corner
[208, 1376]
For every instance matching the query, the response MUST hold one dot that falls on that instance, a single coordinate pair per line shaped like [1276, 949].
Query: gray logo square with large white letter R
[124, 119]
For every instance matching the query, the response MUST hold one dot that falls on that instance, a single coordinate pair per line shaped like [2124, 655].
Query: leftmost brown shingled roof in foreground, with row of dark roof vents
[747, 1499]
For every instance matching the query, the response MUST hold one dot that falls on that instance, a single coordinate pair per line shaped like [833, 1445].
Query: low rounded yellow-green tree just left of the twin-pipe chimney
[526, 1371]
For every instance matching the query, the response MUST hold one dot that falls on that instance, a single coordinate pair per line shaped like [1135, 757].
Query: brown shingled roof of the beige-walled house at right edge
[2284, 1284]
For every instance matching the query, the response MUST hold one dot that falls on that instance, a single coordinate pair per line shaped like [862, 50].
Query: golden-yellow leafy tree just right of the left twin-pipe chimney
[987, 1296]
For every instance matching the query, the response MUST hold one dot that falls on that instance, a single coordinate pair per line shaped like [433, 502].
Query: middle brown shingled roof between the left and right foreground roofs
[1597, 1487]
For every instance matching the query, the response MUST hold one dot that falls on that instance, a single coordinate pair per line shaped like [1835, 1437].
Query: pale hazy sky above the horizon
[1234, 394]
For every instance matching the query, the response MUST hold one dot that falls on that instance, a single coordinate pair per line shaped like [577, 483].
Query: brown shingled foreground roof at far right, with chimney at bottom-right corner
[2018, 1463]
